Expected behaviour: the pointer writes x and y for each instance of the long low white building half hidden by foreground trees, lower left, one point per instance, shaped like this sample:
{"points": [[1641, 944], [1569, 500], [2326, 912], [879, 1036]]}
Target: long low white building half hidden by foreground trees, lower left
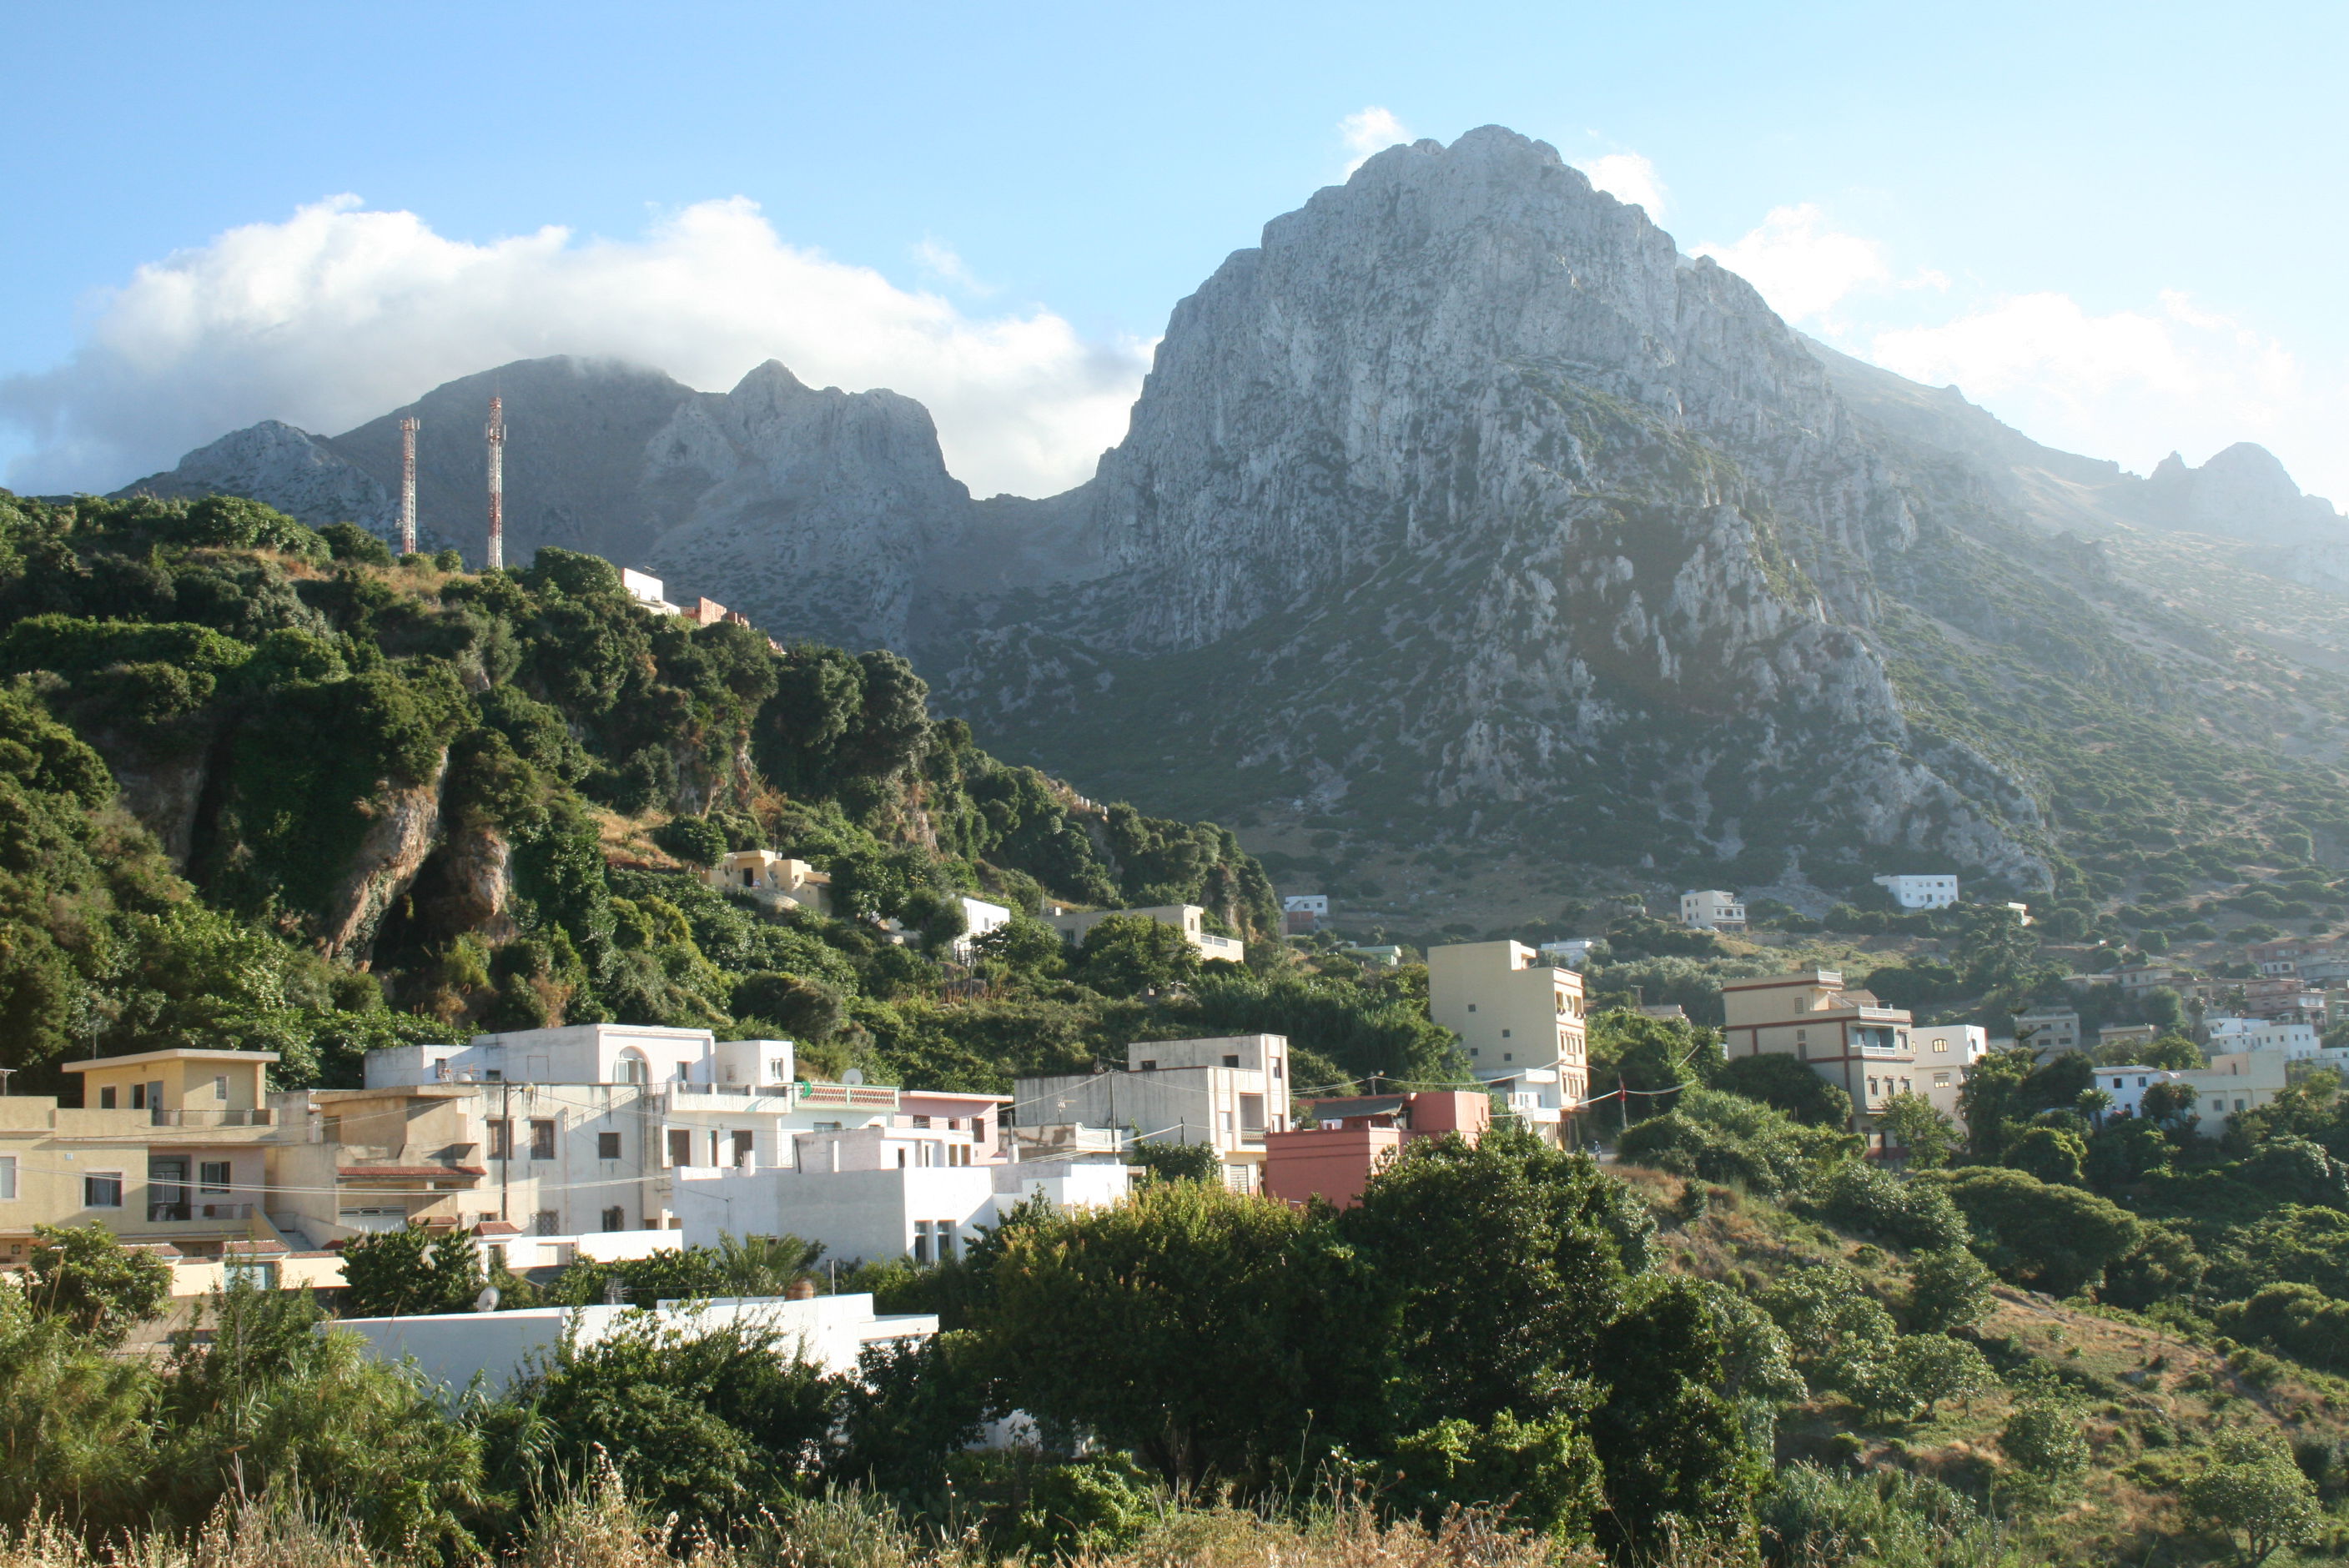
{"points": [[452, 1349]]}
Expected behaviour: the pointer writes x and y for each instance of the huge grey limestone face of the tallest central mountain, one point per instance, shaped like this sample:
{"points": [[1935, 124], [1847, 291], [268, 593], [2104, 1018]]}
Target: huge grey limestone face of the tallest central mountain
{"points": [[1465, 492]]}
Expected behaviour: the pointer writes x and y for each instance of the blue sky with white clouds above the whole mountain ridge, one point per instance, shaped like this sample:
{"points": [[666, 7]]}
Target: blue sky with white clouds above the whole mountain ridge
{"points": [[2118, 227]]}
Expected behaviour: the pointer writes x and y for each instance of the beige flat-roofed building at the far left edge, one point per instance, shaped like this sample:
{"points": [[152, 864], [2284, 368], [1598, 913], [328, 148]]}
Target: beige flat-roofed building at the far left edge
{"points": [[168, 1149]]}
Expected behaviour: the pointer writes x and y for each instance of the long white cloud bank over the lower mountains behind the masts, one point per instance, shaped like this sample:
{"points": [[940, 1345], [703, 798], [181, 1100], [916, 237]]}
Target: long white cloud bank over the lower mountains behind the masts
{"points": [[342, 313]]}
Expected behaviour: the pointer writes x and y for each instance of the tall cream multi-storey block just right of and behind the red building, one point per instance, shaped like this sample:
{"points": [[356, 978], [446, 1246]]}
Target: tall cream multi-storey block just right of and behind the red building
{"points": [[1521, 1022]]}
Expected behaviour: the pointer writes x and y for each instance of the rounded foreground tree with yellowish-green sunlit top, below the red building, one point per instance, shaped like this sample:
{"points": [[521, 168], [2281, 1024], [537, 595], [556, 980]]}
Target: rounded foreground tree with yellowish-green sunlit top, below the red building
{"points": [[1140, 1323]]}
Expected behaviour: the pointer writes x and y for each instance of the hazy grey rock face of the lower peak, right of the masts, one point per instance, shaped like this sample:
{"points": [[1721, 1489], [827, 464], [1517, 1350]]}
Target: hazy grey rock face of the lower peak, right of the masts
{"points": [[809, 511]]}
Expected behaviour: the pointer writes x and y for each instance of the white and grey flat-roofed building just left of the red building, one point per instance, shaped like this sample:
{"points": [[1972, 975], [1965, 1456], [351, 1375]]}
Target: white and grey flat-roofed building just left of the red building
{"points": [[1227, 1093]]}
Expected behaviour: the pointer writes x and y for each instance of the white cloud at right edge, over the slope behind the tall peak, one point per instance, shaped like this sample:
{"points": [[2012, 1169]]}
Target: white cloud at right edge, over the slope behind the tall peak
{"points": [[2132, 384]]}
